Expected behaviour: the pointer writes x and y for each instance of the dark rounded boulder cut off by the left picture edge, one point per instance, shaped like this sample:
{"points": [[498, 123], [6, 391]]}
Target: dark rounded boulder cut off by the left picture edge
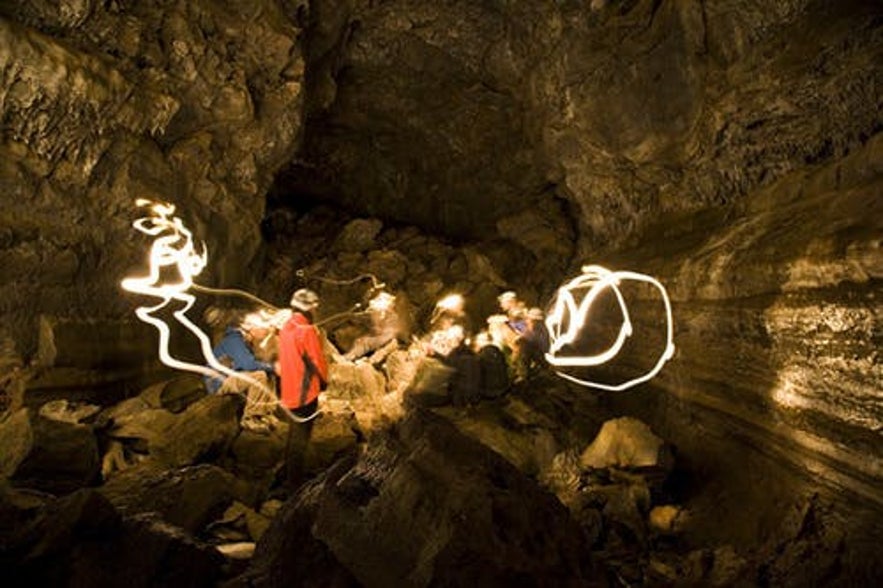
{"points": [[47, 454]]}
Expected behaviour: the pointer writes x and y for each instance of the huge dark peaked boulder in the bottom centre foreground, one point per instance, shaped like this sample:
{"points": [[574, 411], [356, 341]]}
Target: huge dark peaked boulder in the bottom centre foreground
{"points": [[422, 506]]}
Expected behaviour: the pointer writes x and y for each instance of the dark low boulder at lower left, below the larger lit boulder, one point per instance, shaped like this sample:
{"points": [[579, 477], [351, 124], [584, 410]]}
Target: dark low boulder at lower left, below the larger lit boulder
{"points": [[189, 498]]}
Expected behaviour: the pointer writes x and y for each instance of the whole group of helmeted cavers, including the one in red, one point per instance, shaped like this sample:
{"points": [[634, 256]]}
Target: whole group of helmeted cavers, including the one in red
{"points": [[277, 360]]}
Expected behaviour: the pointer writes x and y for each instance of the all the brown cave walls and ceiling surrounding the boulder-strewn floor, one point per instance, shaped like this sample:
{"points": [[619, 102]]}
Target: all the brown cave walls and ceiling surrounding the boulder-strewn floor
{"points": [[729, 149]]}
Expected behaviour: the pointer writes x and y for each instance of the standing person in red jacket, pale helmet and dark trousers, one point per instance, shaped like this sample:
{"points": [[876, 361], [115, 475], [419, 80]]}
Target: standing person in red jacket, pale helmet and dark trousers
{"points": [[303, 373]]}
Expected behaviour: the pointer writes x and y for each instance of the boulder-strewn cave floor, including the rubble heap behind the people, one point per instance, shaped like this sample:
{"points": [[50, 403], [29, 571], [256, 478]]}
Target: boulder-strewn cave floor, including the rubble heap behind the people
{"points": [[544, 486]]}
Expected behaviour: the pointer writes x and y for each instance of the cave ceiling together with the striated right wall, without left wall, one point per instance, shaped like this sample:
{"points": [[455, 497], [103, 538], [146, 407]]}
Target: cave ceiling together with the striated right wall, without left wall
{"points": [[730, 148]]}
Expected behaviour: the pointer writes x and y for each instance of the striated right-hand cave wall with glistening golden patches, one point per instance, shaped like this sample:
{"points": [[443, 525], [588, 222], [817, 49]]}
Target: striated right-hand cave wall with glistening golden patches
{"points": [[778, 315]]}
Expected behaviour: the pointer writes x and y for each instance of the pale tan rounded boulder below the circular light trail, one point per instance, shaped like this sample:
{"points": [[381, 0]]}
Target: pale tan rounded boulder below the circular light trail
{"points": [[623, 442]]}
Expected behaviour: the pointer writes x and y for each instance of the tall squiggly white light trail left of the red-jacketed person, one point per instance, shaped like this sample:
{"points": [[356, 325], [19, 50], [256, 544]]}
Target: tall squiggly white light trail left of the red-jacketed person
{"points": [[173, 249]]}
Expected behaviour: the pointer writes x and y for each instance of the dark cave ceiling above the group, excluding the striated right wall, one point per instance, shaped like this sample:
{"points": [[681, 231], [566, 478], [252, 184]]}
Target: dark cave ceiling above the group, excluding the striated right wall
{"points": [[601, 115]]}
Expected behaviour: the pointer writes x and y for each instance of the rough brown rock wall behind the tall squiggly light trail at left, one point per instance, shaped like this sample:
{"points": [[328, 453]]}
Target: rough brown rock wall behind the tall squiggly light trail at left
{"points": [[193, 103]]}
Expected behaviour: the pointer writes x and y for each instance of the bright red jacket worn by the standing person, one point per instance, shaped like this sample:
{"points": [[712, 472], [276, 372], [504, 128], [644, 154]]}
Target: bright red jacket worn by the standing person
{"points": [[303, 369]]}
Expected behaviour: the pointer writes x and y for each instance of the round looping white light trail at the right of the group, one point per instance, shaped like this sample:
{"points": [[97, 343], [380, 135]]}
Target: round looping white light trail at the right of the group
{"points": [[567, 319]]}
